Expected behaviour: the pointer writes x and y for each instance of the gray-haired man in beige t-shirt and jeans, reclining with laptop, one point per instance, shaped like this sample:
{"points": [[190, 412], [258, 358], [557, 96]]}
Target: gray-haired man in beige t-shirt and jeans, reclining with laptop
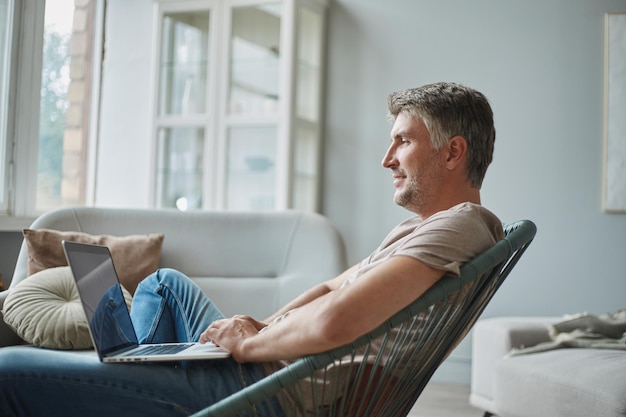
{"points": [[441, 145]]}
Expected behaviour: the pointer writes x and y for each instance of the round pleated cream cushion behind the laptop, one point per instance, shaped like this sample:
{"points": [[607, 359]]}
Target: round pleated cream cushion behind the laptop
{"points": [[45, 310]]}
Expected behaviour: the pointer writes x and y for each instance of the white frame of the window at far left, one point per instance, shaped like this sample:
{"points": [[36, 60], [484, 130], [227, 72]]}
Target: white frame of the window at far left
{"points": [[23, 112]]}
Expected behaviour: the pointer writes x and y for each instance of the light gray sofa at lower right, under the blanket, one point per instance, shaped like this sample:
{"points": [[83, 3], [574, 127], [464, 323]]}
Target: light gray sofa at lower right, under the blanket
{"points": [[551, 382]]}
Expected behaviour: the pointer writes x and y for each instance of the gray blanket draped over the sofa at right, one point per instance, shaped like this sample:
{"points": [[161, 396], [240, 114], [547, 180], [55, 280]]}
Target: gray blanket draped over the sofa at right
{"points": [[584, 330]]}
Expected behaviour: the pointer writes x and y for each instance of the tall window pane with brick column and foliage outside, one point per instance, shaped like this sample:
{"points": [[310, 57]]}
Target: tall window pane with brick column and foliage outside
{"points": [[65, 98]]}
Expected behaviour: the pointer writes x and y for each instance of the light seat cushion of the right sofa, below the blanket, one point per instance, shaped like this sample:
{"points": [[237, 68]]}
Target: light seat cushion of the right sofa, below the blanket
{"points": [[562, 383]]}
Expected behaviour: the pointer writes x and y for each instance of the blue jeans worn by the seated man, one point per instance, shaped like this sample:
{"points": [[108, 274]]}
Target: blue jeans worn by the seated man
{"points": [[167, 307]]}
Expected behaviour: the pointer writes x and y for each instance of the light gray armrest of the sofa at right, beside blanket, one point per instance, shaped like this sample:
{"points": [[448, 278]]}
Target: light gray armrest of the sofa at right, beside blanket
{"points": [[493, 339]]}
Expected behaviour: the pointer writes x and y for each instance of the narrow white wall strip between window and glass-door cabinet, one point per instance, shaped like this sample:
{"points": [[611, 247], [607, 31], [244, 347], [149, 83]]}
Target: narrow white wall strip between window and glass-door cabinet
{"points": [[124, 148]]}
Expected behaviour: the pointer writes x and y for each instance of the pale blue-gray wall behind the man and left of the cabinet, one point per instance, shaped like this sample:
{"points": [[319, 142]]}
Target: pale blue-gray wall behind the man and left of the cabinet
{"points": [[540, 62]]}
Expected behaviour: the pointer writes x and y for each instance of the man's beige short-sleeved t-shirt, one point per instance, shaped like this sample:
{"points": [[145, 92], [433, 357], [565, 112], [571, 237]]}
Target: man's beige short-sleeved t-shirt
{"points": [[444, 241]]}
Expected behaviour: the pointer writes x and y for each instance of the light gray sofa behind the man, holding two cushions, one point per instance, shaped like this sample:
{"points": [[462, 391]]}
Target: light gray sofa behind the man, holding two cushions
{"points": [[249, 263]]}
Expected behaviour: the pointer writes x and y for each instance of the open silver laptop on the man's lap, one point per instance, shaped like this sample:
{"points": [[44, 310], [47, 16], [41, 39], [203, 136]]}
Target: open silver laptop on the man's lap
{"points": [[111, 328]]}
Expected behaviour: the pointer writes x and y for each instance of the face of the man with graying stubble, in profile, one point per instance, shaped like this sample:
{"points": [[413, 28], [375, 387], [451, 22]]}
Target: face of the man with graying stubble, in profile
{"points": [[416, 166]]}
